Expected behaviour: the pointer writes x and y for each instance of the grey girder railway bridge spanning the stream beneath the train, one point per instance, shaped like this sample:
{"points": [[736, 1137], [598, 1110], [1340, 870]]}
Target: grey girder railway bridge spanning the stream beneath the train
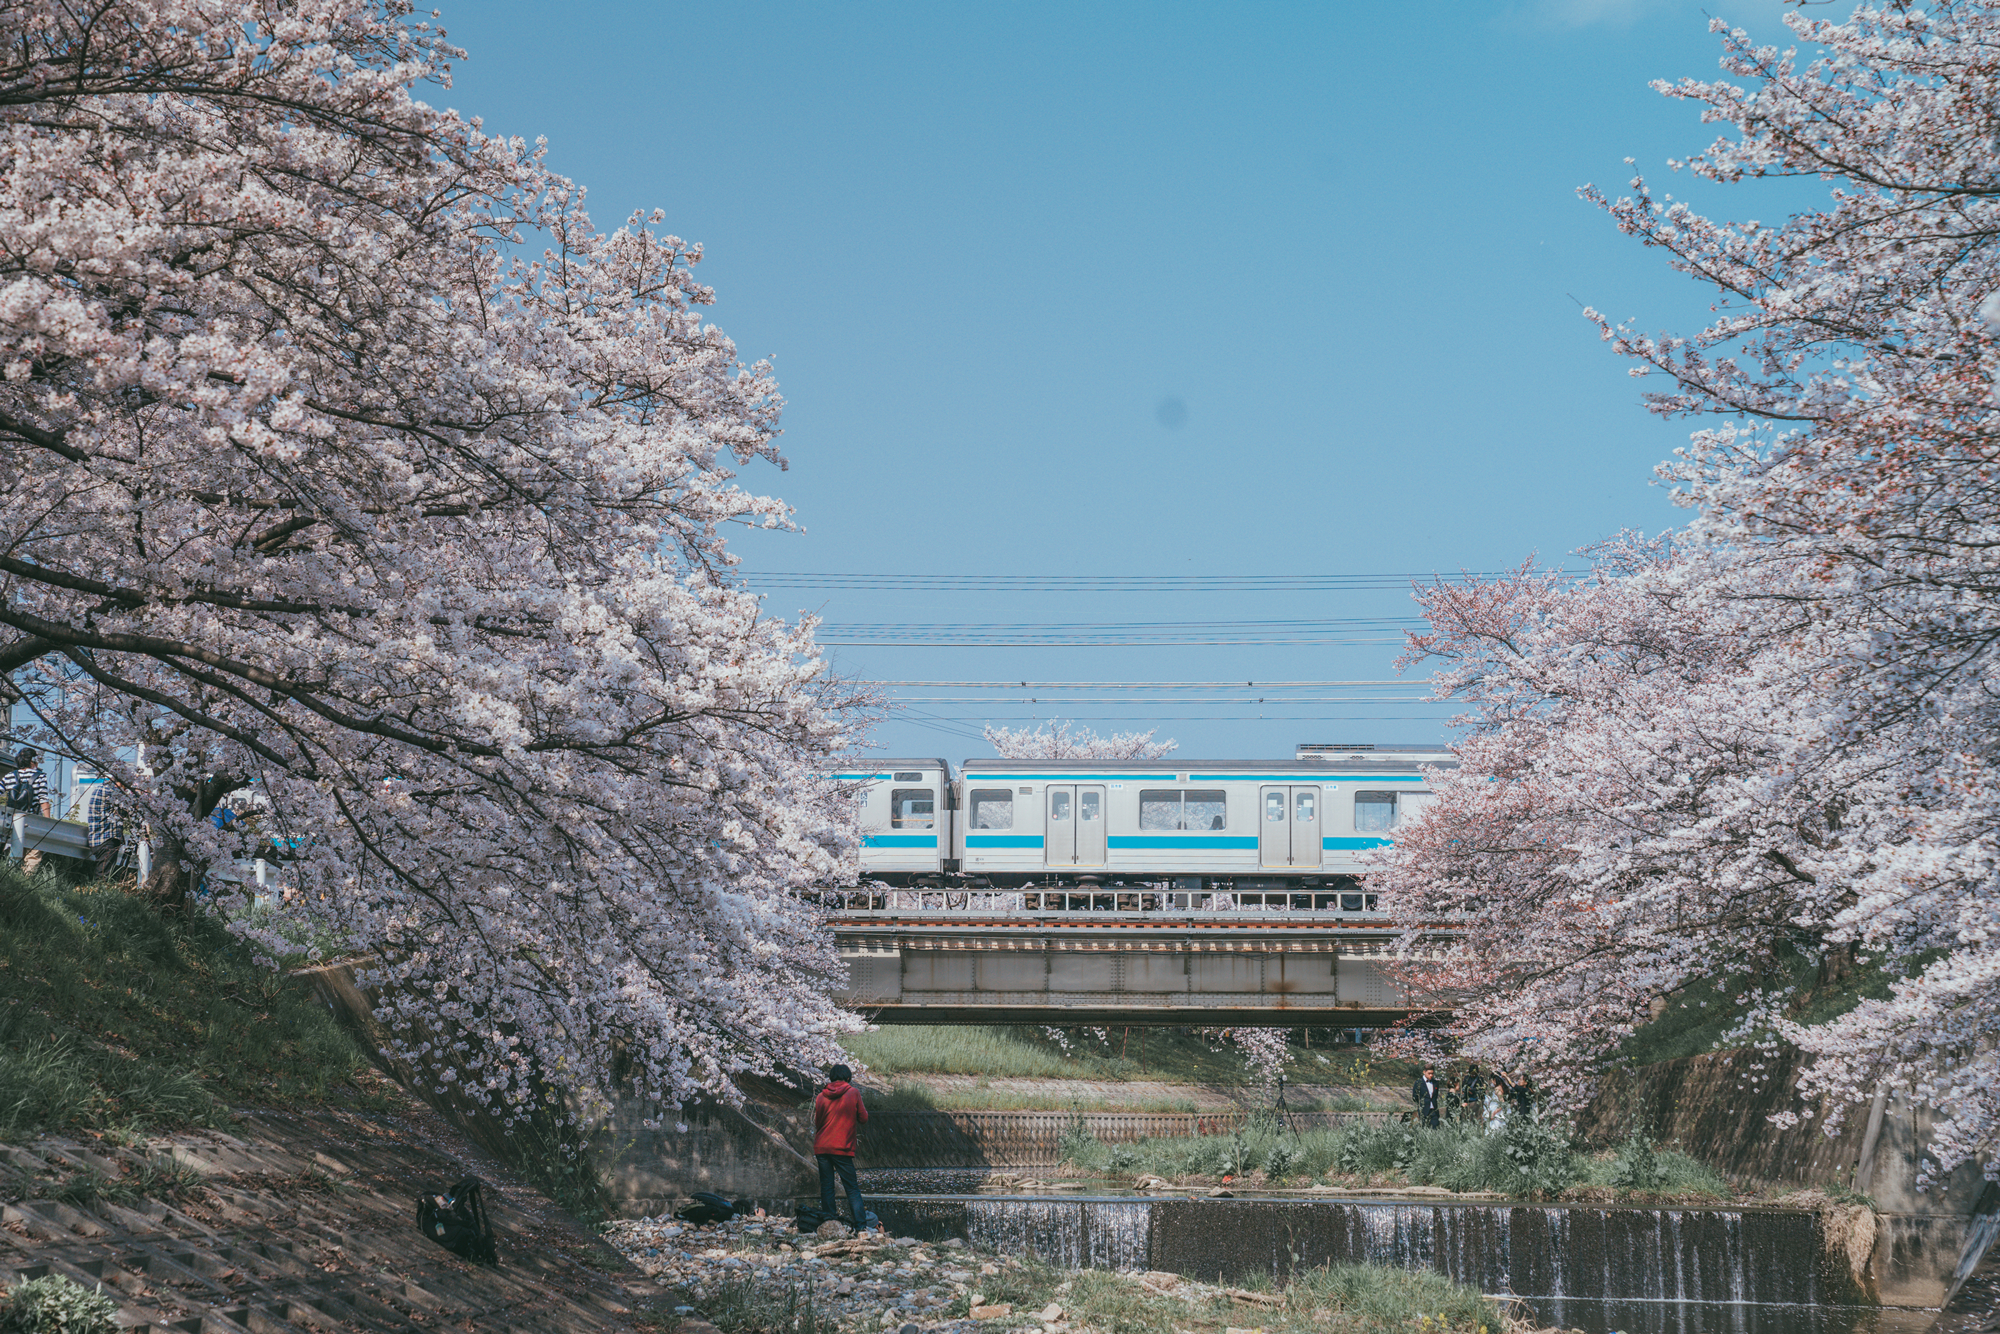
{"points": [[1291, 969]]}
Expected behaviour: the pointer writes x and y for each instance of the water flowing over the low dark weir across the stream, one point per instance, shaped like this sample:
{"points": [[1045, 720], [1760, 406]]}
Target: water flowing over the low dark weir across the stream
{"points": [[1645, 1271]]}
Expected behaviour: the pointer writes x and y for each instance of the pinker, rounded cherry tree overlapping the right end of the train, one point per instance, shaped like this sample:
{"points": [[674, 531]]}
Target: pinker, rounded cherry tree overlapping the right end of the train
{"points": [[1613, 833]]}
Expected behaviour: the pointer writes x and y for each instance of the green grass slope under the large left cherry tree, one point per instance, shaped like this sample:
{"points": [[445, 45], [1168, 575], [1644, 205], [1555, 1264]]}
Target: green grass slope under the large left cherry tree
{"points": [[115, 1017]]}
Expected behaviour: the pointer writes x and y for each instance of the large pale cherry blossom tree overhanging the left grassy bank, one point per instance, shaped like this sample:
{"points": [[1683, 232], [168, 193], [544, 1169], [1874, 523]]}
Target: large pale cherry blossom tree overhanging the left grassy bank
{"points": [[343, 455]]}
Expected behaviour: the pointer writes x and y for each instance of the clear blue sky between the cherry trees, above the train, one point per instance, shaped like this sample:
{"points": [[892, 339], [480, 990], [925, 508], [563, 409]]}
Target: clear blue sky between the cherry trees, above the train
{"points": [[1149, 291]]}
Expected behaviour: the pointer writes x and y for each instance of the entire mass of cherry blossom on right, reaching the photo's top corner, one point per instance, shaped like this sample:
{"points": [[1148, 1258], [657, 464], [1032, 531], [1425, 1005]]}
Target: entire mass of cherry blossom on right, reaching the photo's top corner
{"points": [[1777, 737]]}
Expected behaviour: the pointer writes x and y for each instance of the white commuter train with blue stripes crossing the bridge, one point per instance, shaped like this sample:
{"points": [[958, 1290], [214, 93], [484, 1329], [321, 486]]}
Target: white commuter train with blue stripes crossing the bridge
{"points": [[1121, 835]]}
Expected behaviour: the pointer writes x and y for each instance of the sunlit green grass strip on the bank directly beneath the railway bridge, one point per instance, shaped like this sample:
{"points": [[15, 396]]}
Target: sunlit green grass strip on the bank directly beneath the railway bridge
{"points": [[1137, 1055]]}
